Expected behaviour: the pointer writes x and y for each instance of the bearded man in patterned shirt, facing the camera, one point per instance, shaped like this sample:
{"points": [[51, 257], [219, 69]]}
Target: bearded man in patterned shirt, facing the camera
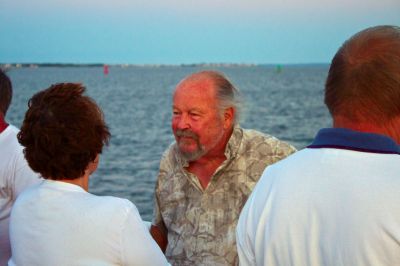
{"points": [[207, 175]]}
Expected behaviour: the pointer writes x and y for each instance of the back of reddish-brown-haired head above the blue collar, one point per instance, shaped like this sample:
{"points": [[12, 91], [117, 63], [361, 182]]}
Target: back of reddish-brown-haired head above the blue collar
{"points": [[363, 85]]}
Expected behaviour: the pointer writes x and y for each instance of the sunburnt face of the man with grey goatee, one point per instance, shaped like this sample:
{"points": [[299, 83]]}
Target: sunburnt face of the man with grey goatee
{"points": [[196, 122]]}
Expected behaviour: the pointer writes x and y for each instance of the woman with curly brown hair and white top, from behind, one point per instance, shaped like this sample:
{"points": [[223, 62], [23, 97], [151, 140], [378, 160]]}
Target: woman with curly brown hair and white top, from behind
{"points": [[58, 222]]}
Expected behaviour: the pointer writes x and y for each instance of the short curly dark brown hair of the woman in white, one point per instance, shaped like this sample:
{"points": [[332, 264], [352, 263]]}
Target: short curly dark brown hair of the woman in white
{"points": [[63, 131]]}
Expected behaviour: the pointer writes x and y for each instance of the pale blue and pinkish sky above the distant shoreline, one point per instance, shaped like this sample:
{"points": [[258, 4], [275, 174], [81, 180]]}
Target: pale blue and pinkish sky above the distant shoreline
{"points": [[184, 31]]}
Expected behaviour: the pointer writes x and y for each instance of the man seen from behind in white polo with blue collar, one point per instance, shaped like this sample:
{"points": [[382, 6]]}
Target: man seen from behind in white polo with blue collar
{"points": [[337, 202]]}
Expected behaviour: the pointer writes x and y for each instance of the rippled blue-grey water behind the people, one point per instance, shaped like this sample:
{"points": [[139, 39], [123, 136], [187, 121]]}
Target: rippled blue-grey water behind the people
{"points": [[137, 105]]}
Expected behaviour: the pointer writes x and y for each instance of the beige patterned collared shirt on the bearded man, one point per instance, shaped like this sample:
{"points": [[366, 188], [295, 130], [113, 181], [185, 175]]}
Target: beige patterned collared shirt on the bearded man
{"points": [[201, 222]]}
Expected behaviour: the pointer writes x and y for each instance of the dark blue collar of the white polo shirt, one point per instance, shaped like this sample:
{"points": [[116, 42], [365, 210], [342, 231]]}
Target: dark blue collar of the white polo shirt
{"points": [[342, 138]]}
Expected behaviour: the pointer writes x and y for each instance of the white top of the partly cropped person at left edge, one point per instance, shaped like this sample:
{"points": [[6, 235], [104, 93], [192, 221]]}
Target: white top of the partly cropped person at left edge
{"points": [[15, 175]]}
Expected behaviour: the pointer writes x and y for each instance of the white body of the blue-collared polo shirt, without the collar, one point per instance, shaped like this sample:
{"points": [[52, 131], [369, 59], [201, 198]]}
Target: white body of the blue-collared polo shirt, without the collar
{"points": [[324, 207]]}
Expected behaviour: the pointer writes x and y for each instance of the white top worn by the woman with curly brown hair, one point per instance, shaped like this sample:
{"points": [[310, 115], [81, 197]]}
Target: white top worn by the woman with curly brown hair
{"points": [[57, 223]]}
